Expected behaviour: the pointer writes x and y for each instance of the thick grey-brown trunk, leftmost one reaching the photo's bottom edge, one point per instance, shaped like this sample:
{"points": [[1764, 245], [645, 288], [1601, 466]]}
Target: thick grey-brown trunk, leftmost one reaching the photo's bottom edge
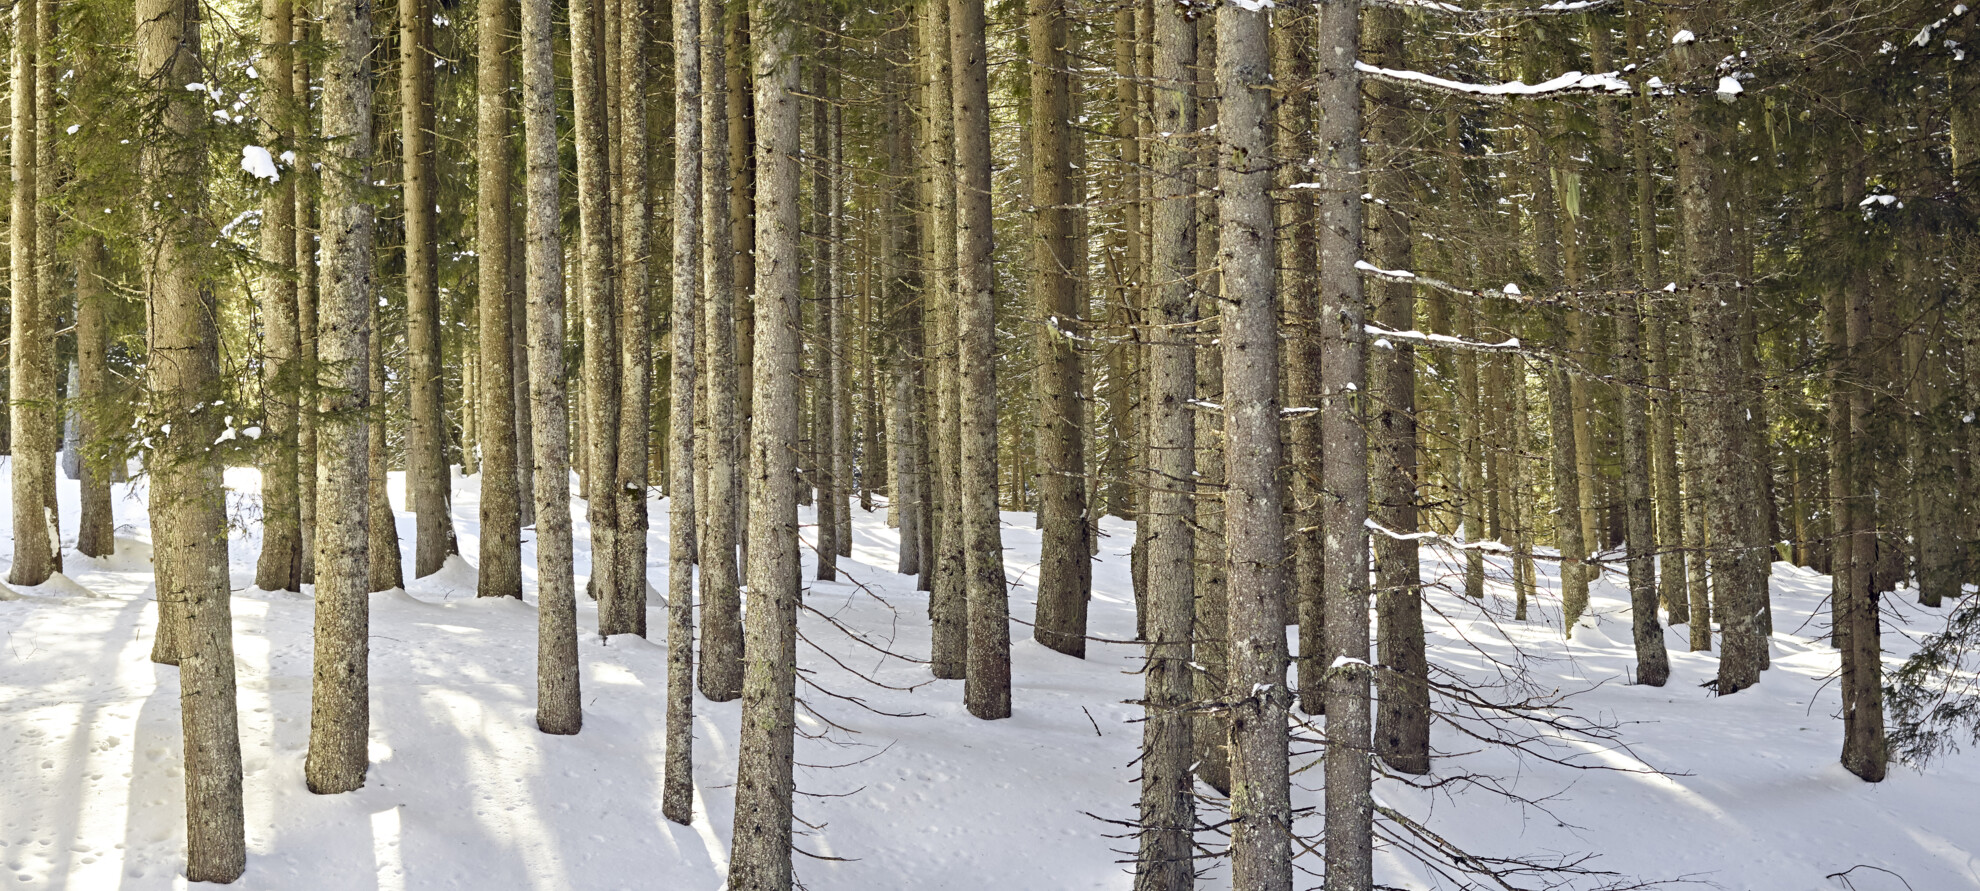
{"points": [[761, 860]]}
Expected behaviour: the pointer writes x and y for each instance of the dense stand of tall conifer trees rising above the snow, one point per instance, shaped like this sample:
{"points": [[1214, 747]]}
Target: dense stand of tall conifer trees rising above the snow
{"points": [[1605, 290]]}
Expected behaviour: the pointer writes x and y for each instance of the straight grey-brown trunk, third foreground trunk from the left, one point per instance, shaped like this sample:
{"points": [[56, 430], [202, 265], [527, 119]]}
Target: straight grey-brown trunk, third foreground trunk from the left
{"points": [[559, 706]]}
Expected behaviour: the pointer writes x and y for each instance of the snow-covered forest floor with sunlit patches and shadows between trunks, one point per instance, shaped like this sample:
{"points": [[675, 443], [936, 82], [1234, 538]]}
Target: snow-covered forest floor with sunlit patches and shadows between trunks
{"points": [[896, 781]]}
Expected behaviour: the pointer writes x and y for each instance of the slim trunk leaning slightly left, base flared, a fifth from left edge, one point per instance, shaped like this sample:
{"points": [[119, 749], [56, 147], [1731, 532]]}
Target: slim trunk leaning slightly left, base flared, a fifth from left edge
{"points": [[429, 478]]}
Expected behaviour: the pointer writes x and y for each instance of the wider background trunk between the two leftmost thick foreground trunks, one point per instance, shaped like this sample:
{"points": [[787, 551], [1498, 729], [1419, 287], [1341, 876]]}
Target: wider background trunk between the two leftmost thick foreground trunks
{"points": [[282, 534]]}
